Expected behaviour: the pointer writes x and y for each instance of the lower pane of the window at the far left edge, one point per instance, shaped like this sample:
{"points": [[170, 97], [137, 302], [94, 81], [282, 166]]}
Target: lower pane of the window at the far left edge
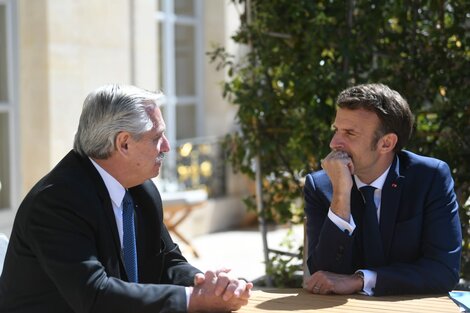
{"points": [[4, 163]]}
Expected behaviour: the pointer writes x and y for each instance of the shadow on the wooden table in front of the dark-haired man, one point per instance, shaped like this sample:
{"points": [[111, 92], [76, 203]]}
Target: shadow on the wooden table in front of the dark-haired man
{"points": [[304, 300]]}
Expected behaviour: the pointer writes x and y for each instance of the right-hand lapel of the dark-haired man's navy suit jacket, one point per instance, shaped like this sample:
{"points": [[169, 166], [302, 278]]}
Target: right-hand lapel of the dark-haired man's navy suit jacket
{"points": [[391, 195]]}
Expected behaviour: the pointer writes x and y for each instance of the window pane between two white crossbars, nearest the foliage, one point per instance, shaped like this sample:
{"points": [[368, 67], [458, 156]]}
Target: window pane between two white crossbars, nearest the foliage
{"points": [[184, 60]]}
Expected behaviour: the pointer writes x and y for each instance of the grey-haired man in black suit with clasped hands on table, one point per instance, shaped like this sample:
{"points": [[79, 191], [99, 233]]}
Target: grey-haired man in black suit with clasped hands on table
{"points": [[89, 236]]}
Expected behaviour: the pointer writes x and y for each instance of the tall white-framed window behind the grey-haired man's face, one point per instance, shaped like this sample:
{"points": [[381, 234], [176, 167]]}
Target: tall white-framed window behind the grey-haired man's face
{"points": [[180, 63]]}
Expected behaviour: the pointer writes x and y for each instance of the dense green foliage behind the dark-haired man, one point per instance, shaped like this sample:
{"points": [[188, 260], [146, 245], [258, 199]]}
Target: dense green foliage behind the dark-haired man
{"points": [[302, 53]]}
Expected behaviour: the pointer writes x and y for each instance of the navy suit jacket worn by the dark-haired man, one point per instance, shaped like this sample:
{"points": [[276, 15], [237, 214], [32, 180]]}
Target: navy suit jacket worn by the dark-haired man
{"points": [[419, 225]]}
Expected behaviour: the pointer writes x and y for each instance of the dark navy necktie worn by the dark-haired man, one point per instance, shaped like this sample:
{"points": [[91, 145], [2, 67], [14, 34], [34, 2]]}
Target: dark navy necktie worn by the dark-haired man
{"points": [[373, 250]]}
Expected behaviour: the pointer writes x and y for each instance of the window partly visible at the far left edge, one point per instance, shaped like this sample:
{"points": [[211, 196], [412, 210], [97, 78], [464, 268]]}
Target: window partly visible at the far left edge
{"points": [[7, 109]]}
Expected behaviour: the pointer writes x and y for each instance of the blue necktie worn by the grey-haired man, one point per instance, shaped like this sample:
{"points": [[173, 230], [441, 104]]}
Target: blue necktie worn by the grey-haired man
{"points": [[130, 251]]}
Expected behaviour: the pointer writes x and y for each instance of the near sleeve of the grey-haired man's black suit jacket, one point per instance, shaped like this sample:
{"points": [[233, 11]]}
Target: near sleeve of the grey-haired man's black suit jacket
{"points": [[62, 234]]}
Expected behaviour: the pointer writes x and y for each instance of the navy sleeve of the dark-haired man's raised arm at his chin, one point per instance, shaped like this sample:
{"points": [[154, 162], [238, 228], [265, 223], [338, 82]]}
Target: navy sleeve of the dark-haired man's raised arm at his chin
{"points": [[329, 248]]}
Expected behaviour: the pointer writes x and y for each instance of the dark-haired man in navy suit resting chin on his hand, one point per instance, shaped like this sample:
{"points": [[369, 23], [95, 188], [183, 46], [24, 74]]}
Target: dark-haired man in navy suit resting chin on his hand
{"points": [[380, 220]]}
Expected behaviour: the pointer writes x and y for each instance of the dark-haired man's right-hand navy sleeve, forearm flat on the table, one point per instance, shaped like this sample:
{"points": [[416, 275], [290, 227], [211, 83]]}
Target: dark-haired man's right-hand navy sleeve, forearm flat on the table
{"points": [[436, 270]]}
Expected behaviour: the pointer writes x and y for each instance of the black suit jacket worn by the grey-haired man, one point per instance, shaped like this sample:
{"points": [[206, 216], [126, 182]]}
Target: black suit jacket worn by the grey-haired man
{"points": [[65, 254]]}
